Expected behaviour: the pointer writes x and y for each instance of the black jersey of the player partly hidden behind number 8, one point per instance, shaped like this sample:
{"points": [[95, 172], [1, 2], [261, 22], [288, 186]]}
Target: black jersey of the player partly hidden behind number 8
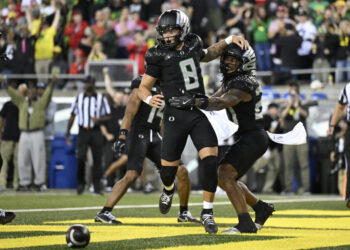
{"points": [[147, 116]]}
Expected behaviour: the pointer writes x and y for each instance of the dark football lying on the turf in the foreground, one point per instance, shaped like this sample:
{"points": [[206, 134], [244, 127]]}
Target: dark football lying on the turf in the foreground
{"points": [[78, 236]]}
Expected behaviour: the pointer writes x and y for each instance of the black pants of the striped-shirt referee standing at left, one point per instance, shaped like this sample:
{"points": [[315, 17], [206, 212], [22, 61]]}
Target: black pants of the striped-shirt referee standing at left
{"points": [[94, 139]]}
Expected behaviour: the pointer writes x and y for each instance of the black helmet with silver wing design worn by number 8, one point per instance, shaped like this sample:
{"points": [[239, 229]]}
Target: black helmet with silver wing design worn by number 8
{"points": [[173, 19]]}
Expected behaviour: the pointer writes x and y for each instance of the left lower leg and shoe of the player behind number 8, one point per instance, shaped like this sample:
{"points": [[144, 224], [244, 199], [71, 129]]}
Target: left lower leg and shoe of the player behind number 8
{"points": [[117, 193]]}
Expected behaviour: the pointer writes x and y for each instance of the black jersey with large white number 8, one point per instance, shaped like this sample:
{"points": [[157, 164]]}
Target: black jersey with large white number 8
{"points": [[177, 70]]}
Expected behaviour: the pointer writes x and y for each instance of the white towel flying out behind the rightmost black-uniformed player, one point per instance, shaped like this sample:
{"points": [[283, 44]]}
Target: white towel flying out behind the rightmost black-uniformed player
{"points": [[296, 136]]}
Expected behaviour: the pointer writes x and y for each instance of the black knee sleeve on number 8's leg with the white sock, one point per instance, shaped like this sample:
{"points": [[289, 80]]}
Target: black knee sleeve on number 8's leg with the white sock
{"points": [[210, 173]]}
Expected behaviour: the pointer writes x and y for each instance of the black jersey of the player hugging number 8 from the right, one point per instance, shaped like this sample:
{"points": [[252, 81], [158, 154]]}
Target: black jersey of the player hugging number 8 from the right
{"points": [[248, 115]]}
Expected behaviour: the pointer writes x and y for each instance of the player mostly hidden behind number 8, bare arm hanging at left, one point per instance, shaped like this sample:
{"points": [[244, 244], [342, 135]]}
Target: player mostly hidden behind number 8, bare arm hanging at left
{"points": [[143, 141]]}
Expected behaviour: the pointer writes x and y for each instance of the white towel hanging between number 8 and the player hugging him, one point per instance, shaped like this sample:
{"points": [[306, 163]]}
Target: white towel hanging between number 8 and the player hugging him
{"points": [[222, 126]]}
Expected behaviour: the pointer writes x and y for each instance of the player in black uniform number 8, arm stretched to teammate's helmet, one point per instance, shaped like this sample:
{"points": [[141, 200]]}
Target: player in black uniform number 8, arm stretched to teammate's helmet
{"points": [[175, 62]]}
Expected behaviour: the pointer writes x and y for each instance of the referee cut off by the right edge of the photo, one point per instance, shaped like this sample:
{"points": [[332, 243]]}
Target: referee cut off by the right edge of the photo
{"points": [[340, 107]]}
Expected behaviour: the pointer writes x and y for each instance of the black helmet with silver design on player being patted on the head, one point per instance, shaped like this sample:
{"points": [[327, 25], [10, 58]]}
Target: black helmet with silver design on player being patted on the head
{"points": [[246, 58]]}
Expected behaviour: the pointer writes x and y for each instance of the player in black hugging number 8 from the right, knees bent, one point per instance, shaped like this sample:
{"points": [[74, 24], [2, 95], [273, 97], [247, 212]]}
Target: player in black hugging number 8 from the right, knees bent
{"points": [[241, 94]]}
